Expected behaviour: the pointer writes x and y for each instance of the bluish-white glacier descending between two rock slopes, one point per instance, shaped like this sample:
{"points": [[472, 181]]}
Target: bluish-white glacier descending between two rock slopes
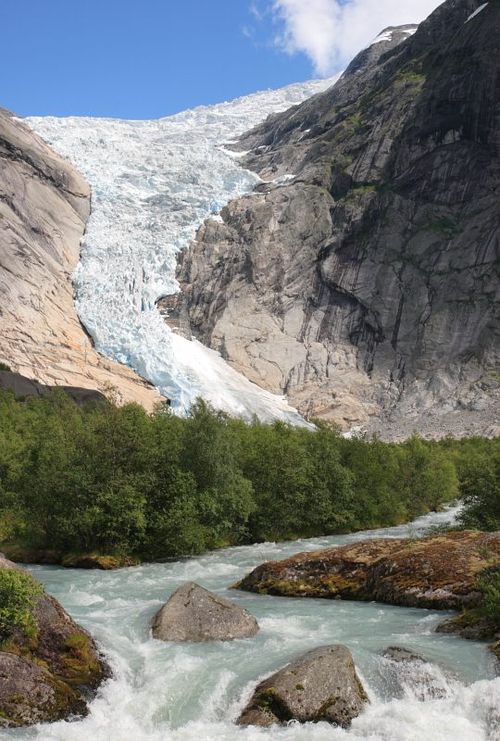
{"points": [[153, 184]]}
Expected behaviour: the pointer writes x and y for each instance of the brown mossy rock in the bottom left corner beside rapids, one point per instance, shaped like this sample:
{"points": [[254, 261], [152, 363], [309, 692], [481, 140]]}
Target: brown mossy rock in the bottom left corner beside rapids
{"points": [[49, 671]]}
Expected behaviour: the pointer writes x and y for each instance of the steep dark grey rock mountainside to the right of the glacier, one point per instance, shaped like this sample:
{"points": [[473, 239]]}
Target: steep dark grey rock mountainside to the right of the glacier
{"points": [[361, 277]]}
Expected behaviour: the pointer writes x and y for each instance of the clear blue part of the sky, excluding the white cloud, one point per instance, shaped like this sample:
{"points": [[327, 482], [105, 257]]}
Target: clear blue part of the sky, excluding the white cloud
{"points": [[135, 59]]}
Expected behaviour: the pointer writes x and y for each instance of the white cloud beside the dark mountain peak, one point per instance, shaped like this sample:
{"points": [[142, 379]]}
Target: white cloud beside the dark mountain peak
{"points": [[331, 32]]}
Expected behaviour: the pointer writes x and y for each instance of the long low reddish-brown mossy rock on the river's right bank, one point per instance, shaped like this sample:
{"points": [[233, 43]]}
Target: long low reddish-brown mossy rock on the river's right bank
{"points": [[439, 572]]}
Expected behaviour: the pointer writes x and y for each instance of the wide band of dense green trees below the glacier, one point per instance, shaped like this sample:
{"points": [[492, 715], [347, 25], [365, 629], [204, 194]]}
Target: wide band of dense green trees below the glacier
{"points": [[117, 480]]}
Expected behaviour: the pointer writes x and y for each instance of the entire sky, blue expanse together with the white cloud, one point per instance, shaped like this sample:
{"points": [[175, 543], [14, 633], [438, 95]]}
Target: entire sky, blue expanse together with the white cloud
{"points": [[151, 58]]}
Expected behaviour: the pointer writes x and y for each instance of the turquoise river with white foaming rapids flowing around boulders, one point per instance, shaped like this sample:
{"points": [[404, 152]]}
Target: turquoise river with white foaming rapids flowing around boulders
{"points": [[192, 692]]}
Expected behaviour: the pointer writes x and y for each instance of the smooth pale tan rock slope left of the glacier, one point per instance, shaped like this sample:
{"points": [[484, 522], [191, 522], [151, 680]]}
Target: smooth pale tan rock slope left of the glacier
{"points": [[44, 205]]}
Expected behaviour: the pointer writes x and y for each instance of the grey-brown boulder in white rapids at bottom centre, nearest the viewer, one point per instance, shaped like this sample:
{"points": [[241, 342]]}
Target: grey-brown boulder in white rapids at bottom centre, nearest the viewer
{"points": [[321, 685]]}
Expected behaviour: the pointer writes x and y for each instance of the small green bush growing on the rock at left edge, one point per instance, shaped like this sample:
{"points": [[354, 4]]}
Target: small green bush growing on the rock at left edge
{"points": [[18, 594]]}
